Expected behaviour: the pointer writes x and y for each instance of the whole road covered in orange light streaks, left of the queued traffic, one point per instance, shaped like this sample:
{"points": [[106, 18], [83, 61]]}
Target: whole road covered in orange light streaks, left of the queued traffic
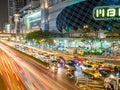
{"points": [[30, 75]]}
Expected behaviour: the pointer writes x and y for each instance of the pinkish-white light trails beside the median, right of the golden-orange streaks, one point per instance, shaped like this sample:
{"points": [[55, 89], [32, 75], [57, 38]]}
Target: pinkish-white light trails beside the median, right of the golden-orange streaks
{"points": [[31, 74]]}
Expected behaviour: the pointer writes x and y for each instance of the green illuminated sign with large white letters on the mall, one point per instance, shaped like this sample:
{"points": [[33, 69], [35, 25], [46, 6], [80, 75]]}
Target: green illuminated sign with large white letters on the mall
{"points": [[106, 12]]}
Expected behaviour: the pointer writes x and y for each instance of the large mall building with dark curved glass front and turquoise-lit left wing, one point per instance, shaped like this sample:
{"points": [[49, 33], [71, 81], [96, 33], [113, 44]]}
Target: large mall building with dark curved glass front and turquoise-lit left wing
{"points": [[66, 15]]}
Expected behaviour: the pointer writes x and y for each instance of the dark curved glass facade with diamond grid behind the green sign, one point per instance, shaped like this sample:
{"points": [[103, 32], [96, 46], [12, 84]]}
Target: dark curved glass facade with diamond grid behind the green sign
{"points": [[77, 15]]}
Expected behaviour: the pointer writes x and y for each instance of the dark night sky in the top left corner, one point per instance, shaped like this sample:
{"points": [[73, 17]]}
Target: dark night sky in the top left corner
{"points": [[3, 12]]}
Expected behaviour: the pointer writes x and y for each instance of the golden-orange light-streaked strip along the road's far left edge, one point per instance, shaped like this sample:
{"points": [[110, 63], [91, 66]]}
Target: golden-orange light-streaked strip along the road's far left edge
{"points": [[9, 72]]}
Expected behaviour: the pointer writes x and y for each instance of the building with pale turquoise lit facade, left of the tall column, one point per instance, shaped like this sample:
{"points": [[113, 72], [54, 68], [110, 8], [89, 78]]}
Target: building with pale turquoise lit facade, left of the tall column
{"points": [[30, 16]]}
